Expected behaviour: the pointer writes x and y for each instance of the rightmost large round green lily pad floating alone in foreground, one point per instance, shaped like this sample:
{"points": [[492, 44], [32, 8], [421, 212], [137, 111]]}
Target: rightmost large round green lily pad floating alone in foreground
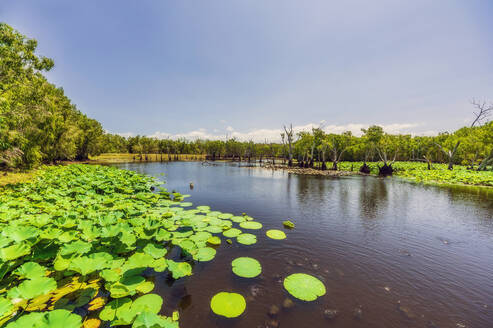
{"points": [[304, 287]]}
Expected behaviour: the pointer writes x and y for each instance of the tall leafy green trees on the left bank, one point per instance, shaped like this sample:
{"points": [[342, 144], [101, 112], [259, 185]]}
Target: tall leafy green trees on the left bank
{"points": [[38, 123]]}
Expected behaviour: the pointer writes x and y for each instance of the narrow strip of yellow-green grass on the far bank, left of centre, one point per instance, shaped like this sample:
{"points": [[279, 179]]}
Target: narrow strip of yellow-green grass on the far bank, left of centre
{"points": [[110, 158]]}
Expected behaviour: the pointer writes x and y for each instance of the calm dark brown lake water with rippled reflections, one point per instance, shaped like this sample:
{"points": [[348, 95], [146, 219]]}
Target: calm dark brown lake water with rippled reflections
{"points": [[390, 253]]}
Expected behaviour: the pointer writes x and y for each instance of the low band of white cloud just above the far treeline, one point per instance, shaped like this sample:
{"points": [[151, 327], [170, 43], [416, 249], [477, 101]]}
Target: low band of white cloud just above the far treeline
{"points": [[274, 135]]}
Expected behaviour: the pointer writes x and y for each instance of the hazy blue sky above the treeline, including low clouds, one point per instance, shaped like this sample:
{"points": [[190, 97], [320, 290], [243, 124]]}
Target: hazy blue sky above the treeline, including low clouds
{"points": [[245, 68]]}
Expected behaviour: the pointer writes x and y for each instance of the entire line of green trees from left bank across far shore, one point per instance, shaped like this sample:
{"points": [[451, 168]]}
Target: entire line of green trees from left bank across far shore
{"points": [[40, 124]]}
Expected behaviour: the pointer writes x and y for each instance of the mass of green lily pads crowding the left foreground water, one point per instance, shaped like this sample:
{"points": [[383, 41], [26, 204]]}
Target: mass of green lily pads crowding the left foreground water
{"points": [[82, 244]]}
